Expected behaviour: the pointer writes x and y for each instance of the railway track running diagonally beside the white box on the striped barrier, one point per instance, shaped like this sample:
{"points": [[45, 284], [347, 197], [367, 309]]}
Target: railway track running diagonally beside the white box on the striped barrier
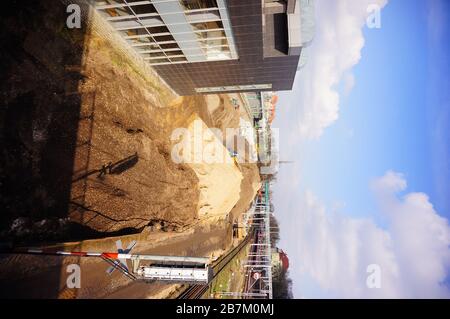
{"points": [[198, 291]]}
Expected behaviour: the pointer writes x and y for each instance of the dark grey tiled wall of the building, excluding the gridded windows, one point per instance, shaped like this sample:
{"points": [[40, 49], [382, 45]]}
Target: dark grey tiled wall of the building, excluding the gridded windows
{"points": [[254, 66]]}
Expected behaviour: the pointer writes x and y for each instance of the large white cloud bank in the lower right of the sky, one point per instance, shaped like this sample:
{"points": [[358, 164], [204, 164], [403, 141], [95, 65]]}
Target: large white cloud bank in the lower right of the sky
{"points": [[333, 250]]}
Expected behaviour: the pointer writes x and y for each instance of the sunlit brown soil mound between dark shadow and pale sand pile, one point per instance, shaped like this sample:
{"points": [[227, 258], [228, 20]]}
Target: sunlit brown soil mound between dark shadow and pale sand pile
{"points": [[144, 184]]}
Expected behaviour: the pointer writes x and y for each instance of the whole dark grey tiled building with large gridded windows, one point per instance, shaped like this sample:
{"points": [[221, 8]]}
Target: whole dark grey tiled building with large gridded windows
{"points": [[212, 46]]}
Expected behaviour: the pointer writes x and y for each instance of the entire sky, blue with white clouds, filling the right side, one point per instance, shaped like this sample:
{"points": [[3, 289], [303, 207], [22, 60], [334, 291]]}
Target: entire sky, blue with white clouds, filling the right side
{"points": [[367, 125]]}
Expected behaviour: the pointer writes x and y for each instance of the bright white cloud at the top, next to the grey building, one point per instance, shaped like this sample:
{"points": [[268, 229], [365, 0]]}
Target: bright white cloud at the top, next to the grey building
{"points": [[335, 50]]}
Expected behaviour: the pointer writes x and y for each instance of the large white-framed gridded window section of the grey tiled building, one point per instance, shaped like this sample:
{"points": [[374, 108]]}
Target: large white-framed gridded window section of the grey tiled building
{"points": [[173, 31]]}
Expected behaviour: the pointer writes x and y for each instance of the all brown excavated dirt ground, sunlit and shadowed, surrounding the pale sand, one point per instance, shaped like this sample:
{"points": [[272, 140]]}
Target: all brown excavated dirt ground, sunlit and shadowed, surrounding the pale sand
{"points": [[84, 139]]}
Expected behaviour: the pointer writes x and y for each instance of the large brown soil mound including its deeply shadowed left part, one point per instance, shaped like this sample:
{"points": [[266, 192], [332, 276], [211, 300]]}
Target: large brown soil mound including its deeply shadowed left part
{"points": [[72, 105]]}
